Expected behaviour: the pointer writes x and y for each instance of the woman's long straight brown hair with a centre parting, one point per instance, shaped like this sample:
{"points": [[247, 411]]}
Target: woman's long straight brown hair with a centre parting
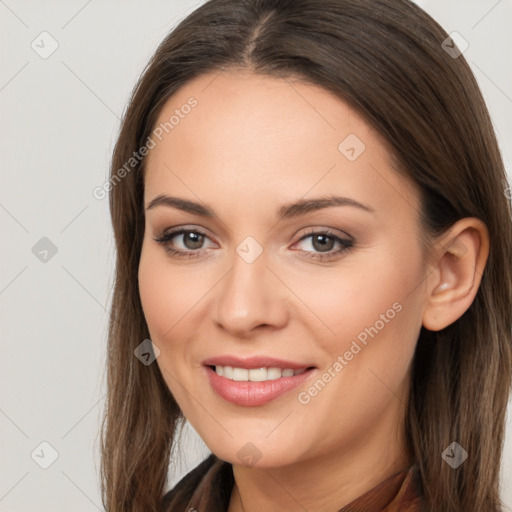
{"points": [[386, 58]]}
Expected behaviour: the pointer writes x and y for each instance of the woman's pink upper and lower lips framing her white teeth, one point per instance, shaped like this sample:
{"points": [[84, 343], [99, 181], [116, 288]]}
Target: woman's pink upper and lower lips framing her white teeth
{"points": [[251, 394]]}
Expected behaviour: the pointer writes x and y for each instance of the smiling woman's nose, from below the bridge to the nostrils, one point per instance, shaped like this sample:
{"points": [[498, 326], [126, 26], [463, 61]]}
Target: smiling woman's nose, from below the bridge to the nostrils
{"points": [[250, 296]]}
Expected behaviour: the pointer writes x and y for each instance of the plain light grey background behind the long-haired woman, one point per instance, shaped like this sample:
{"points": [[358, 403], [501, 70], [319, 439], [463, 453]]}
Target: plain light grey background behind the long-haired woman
{"points": [[59, 120]]}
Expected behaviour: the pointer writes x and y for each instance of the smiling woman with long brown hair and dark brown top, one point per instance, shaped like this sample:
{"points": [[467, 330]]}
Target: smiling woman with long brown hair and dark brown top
{"points": [[311, 228]]}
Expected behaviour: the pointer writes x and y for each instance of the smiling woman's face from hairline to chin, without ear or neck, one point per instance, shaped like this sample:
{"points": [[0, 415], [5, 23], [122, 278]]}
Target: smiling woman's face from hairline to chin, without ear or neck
{"points": [[334, 285]]}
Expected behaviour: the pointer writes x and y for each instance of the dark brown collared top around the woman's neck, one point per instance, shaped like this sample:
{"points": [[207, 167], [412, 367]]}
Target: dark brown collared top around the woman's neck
{"points": [[207, 488]]}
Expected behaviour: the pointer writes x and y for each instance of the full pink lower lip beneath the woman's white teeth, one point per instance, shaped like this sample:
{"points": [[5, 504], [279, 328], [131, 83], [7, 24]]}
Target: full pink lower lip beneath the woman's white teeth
{"points": [[251, 394]]}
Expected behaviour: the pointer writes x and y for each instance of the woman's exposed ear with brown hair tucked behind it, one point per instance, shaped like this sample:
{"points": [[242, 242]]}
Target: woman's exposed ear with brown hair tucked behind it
{"points": [[460, 255]]}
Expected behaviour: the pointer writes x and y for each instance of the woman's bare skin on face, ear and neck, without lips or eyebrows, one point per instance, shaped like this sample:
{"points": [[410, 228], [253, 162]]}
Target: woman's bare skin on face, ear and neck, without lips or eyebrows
{"points": [[250, 145]]}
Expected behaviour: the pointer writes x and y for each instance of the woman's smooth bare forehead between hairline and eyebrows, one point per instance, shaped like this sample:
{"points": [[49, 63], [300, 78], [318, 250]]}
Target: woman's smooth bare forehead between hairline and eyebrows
{"points": [[278, 138]]}
